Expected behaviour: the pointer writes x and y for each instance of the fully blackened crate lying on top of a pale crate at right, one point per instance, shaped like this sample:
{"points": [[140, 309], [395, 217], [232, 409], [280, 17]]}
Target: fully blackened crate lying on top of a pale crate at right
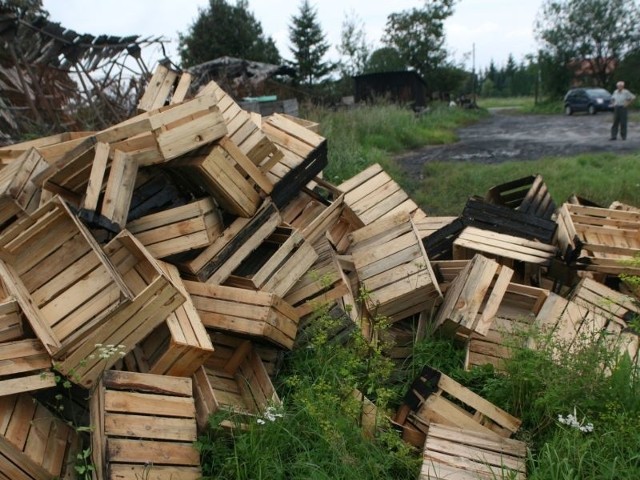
{"points": [[501, 219]]}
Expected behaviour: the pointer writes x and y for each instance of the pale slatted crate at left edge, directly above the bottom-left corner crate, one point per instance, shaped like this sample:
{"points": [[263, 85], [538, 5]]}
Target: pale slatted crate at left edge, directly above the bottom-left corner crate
{"points": [[25, 366]]}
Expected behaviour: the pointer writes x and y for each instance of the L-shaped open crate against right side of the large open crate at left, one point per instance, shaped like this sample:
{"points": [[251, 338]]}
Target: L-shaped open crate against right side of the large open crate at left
{"points": [[151, 296]]}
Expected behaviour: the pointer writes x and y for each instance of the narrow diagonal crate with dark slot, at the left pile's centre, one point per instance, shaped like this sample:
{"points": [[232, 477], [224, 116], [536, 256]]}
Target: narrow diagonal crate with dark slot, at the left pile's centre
{"points": [[215, 263]]}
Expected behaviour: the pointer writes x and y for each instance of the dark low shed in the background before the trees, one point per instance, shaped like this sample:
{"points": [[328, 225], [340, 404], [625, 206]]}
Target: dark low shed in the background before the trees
{"points": [[406, 87]]}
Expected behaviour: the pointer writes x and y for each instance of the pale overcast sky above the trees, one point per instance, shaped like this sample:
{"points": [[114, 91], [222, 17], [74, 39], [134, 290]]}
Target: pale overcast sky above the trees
{"points": [[495, 27]]}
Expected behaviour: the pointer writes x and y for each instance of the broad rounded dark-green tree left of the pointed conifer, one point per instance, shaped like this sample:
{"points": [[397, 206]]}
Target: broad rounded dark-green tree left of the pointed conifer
{"points": [[223, 29]]}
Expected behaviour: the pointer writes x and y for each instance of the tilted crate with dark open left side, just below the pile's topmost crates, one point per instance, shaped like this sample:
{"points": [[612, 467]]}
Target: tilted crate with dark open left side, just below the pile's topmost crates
{"points": [[228, 175]]}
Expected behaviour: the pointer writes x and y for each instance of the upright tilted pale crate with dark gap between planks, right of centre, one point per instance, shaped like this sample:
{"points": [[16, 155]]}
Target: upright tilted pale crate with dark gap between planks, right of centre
{"points": [[473, 298]]}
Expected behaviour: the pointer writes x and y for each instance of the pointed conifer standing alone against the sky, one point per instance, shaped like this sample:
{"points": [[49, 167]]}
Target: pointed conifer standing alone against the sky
{"points": [[308, 45]]}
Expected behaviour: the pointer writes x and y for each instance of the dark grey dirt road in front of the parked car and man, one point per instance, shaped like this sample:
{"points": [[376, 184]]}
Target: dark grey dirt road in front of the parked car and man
{"points": [[507, 135]]}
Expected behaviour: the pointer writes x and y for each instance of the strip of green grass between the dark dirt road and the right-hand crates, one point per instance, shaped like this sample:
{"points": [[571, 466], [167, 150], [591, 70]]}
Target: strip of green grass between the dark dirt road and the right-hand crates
{"points": [[602, 178]]}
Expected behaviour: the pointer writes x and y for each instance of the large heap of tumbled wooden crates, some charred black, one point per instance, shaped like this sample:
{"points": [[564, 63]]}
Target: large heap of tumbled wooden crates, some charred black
{"points": [[165, 264]]}
